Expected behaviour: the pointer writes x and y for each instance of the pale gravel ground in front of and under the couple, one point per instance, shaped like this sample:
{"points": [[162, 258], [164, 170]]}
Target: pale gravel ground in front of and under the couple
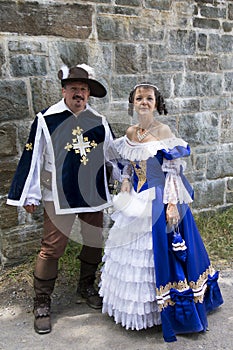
{"points": [[78, 327]]}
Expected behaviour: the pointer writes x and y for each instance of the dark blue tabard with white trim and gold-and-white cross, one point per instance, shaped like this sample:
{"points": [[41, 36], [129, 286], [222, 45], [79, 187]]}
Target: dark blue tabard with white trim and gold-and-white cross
{"points": [[75, 149]]}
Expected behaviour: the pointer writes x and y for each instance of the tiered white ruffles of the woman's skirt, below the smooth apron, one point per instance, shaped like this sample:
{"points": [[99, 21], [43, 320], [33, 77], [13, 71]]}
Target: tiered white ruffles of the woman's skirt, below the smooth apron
{"points": [[128, 284]]}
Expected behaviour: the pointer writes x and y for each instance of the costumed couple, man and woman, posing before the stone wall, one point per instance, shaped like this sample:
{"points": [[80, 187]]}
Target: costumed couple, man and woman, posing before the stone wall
{"points": [[156, 269]]}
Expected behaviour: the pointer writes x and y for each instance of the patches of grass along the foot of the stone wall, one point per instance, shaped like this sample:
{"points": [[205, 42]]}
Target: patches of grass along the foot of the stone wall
{"points": [[216, 230]]}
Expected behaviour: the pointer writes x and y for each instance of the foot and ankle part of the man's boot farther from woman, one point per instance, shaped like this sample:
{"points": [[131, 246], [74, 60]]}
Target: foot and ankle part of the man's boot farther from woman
{"points": [[42, 323]]}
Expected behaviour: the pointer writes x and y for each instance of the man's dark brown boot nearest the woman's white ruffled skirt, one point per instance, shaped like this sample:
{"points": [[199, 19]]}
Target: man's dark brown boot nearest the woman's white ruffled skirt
{"points": [[86, 290]]}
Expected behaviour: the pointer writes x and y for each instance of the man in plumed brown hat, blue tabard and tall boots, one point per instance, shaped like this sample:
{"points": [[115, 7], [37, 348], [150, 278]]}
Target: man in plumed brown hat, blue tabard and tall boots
{"points": [[66, 153]]}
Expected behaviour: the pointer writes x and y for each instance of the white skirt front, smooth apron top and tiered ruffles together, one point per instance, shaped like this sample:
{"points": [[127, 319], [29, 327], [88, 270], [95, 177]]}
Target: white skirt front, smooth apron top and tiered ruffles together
{"points": [[128, 277]]}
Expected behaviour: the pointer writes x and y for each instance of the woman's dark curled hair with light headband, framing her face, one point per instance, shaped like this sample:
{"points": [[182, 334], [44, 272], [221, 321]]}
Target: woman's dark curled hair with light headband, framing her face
{"points": [[160, 104]]}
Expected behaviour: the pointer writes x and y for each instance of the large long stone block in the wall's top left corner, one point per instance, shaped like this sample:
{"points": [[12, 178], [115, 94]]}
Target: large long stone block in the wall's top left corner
{"points": [[36, 18]]}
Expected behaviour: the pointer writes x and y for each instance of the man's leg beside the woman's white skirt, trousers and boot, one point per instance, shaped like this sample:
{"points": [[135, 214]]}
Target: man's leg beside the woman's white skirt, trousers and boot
{"points": [[90, 257]]}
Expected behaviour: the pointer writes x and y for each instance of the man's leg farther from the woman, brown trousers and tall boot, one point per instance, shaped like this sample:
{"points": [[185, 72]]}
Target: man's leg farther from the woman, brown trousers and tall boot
{"points": [[54, 241]]}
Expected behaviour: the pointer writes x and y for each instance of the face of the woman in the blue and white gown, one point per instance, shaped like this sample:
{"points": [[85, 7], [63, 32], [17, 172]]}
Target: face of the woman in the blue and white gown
{"points": [[144, 101]]}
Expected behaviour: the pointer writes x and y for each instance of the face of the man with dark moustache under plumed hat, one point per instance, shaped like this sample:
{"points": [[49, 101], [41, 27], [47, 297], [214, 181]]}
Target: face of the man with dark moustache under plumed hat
{"points": [[76, 95]]}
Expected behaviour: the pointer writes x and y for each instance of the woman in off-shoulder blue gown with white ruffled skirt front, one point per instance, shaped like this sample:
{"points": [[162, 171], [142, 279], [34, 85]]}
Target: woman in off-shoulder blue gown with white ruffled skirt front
{"points": [[156, 268]]}
